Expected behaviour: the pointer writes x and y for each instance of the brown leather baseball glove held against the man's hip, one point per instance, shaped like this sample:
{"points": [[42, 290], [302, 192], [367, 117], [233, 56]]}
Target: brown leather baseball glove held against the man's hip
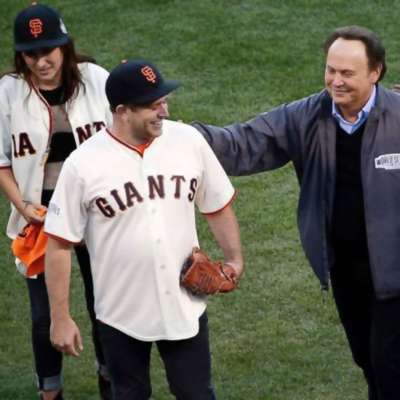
{"points": [[202, 276]]}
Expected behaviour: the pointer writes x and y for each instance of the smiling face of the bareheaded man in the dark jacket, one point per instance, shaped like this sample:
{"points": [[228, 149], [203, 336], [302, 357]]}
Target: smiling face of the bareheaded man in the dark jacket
{"points": [[348, 76]]}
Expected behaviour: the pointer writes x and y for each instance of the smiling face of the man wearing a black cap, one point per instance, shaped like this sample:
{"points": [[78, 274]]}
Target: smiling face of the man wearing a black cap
{"points": [[145, 122]]}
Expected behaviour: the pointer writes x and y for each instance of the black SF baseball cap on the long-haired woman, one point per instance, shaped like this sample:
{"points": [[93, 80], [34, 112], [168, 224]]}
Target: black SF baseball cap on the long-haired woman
{"points": [[39, 26]]}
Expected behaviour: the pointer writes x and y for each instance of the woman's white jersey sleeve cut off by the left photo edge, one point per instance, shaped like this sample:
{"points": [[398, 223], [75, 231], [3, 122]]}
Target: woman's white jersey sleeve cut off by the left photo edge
{"points": [[5, 128]]}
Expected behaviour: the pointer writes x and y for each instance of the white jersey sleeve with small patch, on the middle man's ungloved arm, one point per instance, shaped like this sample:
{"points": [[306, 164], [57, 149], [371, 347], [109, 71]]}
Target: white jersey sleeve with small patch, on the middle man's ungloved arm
{"points": [[67, 213]]}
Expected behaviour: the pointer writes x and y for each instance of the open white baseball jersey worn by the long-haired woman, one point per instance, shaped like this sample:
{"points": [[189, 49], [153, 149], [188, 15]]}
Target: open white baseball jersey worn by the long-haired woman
{"points": [[25, 126]]}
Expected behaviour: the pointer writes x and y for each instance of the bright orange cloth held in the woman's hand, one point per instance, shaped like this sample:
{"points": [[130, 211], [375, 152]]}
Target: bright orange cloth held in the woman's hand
{"points": [[30, 247]]}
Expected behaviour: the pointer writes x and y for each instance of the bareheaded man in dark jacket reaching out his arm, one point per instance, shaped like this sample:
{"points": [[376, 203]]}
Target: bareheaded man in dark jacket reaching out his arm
{"points": [[344, 143]]}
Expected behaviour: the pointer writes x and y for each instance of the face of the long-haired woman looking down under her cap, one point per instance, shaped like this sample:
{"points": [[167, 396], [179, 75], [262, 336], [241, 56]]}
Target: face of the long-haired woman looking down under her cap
{"points": [[45, 66]]}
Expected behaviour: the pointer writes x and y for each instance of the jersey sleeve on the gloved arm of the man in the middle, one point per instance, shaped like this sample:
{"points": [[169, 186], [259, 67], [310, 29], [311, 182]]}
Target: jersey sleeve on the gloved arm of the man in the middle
{"points": [[215, 190]]}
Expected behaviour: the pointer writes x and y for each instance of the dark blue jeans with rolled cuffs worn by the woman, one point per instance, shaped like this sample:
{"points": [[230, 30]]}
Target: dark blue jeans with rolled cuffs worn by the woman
{"points": [[48, 361]]}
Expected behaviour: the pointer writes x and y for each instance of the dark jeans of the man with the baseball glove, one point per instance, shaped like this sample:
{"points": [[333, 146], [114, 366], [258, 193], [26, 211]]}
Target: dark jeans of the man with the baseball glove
{"points": [[187, 363]]}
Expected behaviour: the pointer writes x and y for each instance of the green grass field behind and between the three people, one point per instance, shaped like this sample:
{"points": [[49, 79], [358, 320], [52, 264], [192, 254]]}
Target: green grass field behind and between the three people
{"points": [[276, 338]]}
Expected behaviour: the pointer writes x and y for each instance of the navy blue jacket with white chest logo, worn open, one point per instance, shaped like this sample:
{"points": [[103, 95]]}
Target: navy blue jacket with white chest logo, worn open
{"points": [[304, 132]]}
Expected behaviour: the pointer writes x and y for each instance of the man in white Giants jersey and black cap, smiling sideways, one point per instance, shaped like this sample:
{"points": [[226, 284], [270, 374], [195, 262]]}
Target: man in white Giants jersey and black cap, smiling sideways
{"points": [[129, 192]]}
